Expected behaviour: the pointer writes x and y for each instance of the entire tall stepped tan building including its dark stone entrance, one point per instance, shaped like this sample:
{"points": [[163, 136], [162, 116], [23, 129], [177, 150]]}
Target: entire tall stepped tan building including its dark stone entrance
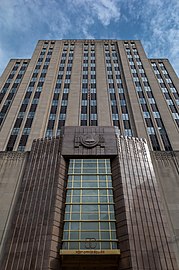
{"points": [[89, 142]]}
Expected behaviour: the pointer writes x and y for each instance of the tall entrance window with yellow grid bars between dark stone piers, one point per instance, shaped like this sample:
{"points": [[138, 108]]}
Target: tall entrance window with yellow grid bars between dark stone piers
{"points": [[89, 211]]}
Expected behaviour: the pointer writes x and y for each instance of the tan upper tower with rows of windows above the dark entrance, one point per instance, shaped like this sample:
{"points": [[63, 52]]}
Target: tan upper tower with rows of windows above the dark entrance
{"points": [[89, 83]]}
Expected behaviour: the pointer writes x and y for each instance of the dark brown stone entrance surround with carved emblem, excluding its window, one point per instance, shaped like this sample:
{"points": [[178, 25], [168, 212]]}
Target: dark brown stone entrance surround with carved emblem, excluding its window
{"points": [[36, 227]]}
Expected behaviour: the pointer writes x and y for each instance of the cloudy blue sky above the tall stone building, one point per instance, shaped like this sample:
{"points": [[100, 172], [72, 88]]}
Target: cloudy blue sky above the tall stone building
{"points": [[154, 22]]}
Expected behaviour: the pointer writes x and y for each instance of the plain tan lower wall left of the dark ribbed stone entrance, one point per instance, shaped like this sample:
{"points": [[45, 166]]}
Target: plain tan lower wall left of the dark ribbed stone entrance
{"points": [[11, 171]]}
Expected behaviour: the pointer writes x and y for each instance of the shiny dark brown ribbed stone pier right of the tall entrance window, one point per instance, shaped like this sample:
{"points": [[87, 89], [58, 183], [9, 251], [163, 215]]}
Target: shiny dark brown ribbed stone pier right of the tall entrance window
{"points": [[143, 225]]}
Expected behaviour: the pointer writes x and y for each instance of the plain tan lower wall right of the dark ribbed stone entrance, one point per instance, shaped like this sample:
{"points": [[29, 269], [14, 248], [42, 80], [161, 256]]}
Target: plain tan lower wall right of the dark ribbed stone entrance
{"points": [[166, 166]]}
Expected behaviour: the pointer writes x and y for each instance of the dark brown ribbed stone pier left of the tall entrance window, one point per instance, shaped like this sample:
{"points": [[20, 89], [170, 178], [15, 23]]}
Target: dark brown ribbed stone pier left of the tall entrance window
{"points": [[35, 233]]}
